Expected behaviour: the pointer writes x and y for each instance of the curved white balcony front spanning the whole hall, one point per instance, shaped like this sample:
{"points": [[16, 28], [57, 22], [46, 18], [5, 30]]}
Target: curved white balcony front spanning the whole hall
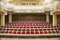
{"points": [[28, 8]]}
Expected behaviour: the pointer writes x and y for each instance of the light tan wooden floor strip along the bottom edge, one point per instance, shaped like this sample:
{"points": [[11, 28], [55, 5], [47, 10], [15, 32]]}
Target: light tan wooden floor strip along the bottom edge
{"points": [[29, 38]]}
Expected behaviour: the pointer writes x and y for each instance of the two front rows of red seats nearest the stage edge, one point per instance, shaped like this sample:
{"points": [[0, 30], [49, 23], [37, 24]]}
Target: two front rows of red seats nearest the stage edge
{"points": [[29, 30]]}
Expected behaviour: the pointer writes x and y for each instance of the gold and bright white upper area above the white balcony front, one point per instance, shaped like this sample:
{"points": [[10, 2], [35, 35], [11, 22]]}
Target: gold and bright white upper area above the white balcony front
{"points": [[37, 2]]}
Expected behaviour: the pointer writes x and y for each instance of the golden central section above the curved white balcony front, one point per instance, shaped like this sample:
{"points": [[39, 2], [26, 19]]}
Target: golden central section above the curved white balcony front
{"points": [[29, 2]]}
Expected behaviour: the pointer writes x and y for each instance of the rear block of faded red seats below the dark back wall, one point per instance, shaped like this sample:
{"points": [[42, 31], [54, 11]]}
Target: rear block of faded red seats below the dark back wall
{"points": [[28, 24]]}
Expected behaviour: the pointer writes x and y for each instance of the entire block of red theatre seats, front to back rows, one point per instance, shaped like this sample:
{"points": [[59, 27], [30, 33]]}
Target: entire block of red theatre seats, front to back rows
{"points": [[29, 27]]}
